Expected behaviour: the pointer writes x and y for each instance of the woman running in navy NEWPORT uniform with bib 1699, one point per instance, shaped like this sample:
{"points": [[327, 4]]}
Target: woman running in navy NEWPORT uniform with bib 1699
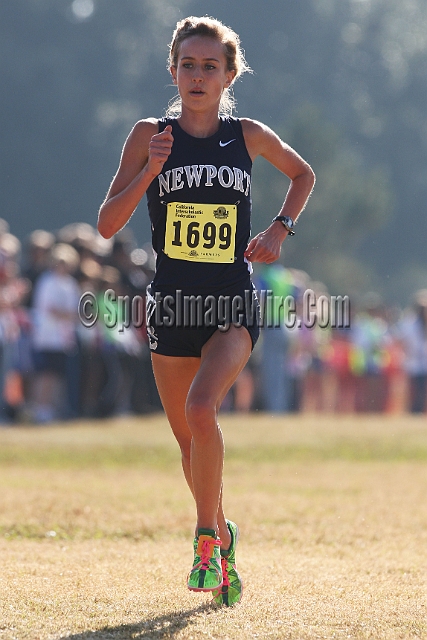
{"points": [[196, 171]]}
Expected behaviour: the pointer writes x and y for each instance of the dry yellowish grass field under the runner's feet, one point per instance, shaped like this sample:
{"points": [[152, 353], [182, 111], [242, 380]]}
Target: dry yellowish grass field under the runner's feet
{"points": [[96, 526]]}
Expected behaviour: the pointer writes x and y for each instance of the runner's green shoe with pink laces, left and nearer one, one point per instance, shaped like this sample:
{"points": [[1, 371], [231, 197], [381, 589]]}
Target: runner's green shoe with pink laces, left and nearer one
{"points": [[206, 574]]}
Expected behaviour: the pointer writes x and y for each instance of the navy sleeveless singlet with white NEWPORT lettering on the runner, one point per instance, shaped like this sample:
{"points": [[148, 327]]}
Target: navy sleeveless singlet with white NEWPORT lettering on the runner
{"points": [[214, 170]]}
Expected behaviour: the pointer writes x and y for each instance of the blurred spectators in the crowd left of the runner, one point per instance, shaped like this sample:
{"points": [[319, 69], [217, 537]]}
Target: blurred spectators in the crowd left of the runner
{"points": [[52, 366]]}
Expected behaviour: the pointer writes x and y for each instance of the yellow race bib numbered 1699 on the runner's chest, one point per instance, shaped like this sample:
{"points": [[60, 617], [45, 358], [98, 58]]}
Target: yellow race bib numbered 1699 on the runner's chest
{"points": [[201, 232]]}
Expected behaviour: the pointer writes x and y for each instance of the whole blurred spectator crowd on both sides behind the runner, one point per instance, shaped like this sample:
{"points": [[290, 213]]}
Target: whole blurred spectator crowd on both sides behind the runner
{"points": [[53, 367]]}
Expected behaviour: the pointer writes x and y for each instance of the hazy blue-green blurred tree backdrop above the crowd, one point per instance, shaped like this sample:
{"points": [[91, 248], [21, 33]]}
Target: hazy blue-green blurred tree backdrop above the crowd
{"points": [[344, 81]]}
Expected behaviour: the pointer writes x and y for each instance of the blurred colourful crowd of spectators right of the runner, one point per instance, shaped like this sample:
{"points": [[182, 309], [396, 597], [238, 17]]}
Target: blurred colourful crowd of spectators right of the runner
{"points": [[375, 362]]}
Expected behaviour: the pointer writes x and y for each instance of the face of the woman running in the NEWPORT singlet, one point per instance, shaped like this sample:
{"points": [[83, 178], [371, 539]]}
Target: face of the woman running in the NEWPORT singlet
{"points": [[201, 72]]}
